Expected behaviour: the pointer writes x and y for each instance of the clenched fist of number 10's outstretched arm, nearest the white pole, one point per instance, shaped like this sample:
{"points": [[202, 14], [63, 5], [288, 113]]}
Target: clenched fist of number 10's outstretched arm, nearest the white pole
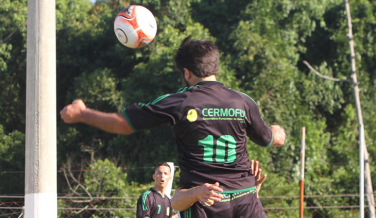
{"points": [[72, 112]]}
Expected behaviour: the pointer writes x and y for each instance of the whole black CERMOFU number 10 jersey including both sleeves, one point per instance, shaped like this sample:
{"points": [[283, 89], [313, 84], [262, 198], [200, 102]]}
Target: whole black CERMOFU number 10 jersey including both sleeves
{"points": [[211, 124]]}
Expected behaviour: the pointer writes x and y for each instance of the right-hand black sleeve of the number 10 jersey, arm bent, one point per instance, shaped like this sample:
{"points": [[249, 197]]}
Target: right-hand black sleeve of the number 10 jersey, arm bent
{"points": [[258, 131]]}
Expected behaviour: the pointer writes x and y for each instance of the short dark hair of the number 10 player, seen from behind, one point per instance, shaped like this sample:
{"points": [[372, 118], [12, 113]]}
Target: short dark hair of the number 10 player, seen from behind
{"points": [[199, 56]]}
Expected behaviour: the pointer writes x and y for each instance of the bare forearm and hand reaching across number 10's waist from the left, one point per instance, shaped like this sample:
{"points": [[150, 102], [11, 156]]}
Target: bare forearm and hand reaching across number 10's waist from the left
{"points": [[206, 194]]}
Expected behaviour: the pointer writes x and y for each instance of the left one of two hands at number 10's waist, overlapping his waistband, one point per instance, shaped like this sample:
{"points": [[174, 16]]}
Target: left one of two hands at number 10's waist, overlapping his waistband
{"points": [[207, 194]]}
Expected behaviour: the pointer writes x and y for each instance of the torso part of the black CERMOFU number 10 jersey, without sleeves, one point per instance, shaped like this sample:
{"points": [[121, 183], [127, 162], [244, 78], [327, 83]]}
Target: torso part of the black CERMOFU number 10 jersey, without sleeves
{"points": [[212, 137]]}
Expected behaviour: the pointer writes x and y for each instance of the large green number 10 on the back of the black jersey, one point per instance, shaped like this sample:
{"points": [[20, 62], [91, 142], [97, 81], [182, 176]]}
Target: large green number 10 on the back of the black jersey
{"points": [[222, 155]]}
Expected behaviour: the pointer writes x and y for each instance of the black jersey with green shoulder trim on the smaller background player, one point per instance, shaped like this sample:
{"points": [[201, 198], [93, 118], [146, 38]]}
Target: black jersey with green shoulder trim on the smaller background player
{"points": [[152, 204]]}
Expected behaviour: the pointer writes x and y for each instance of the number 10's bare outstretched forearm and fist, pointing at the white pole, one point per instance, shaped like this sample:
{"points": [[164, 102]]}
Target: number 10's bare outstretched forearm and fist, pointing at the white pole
{"points": [[109, 122]]}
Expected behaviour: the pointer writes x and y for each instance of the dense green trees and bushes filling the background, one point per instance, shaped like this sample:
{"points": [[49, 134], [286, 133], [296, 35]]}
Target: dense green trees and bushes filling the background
{"points": [[262, 43]]}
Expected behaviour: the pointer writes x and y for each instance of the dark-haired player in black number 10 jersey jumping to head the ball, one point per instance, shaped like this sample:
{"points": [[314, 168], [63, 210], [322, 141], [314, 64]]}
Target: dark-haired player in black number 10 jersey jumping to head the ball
{"points": [[211, 124]]}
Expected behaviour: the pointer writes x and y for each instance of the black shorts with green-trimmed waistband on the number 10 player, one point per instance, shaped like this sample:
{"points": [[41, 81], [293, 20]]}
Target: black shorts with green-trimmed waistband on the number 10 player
{"points": [[237, 205]]}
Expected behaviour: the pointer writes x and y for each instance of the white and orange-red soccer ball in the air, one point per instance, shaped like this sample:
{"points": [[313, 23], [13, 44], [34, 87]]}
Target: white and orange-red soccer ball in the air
{"points": [[135, 26]]}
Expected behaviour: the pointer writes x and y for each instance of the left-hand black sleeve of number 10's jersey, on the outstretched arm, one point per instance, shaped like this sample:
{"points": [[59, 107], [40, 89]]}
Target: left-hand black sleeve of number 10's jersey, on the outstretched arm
{"points": [[162, 110]]}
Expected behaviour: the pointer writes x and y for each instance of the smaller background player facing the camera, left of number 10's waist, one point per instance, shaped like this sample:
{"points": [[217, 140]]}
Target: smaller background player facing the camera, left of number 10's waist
{"points": [[154, 203]]}
